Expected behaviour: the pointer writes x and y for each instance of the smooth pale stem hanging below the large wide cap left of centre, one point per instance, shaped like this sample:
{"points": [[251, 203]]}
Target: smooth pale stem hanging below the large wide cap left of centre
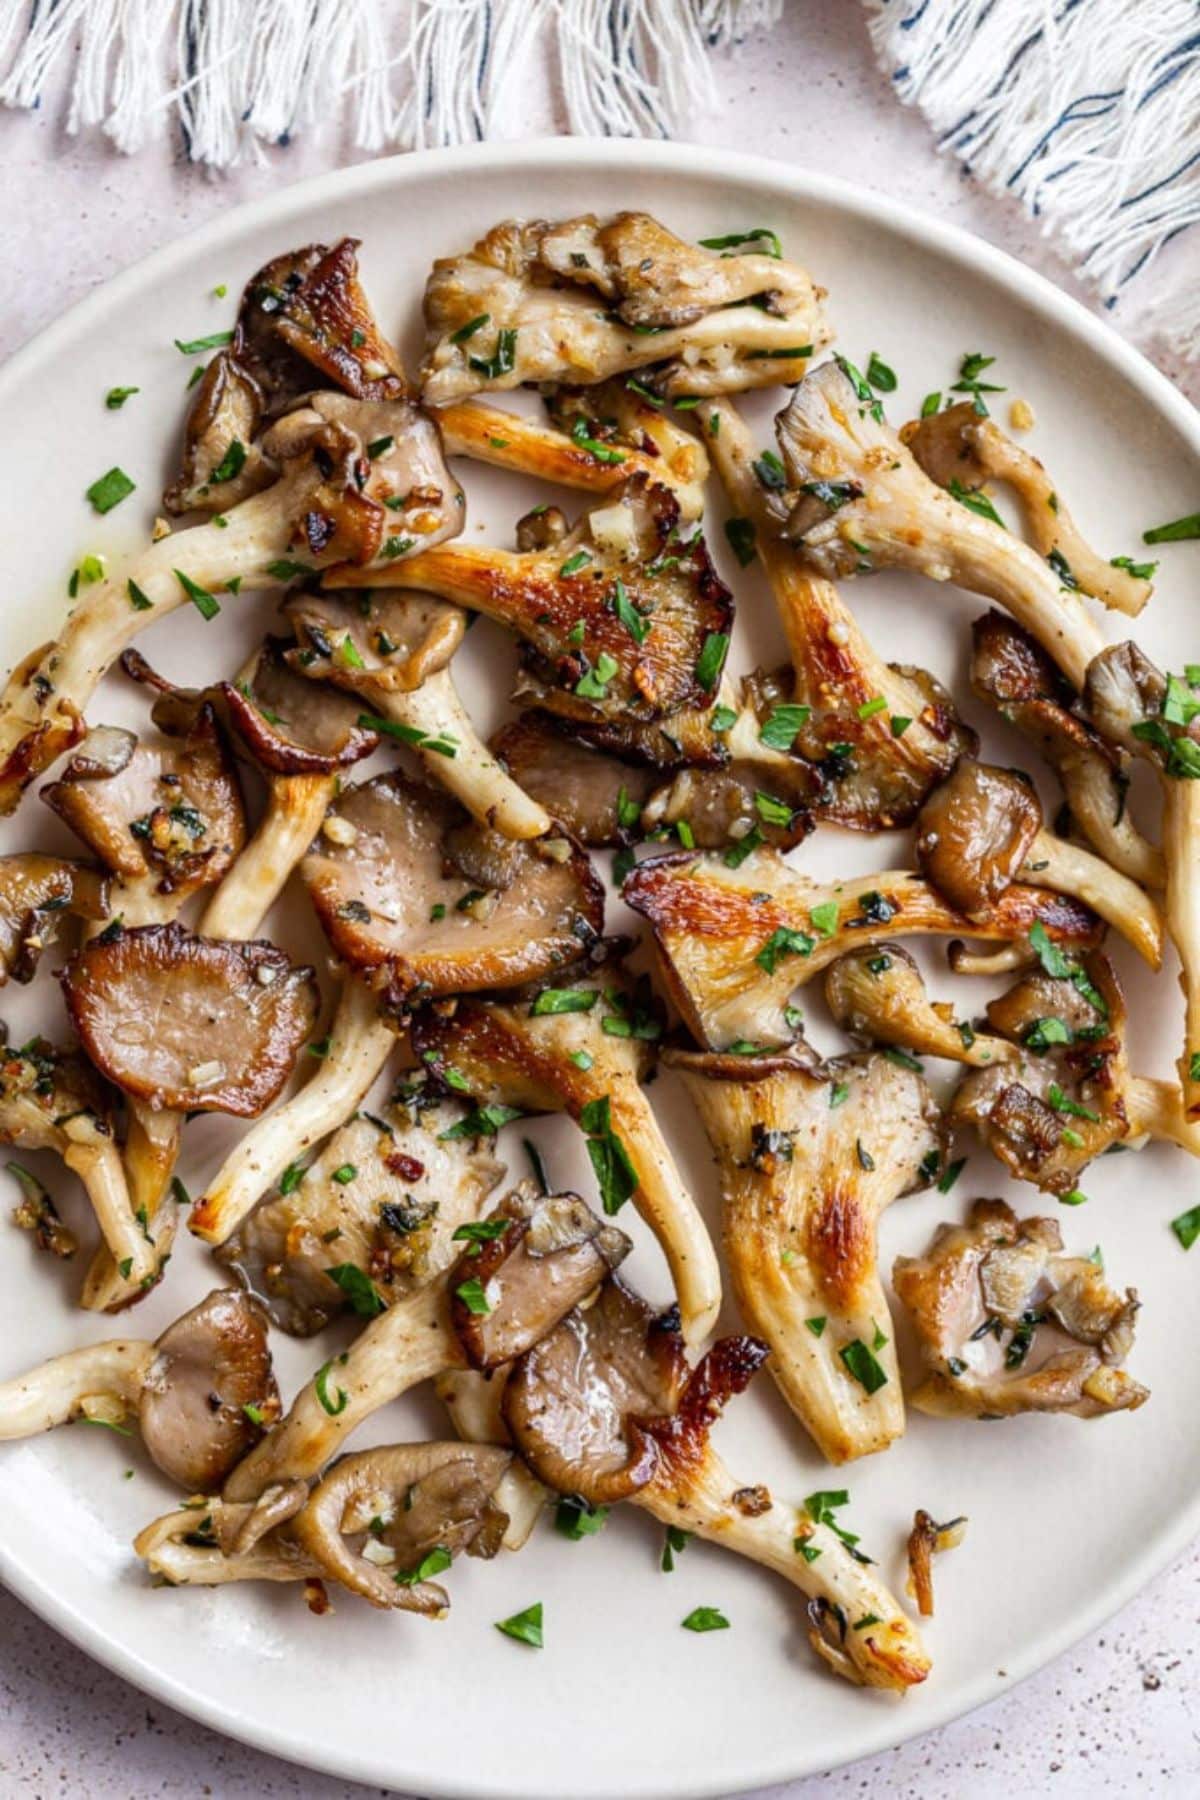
{"points": [[359, 1047]]}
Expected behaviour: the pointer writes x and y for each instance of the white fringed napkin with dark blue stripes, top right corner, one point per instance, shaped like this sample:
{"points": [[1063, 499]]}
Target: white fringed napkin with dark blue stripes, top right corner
{"points": [[1088, 112]]}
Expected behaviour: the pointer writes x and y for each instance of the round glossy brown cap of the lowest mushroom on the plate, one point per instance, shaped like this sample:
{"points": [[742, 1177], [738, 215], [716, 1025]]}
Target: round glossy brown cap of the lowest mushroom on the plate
{"points": [[575, 1401]]}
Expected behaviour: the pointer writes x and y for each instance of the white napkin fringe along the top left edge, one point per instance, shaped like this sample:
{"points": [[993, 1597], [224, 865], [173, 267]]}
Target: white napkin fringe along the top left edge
{"points": [[238, 75]]}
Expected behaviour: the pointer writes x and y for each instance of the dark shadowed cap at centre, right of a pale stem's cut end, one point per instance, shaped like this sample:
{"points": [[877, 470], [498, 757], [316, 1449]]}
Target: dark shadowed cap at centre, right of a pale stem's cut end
{"points": [[595, 796]]}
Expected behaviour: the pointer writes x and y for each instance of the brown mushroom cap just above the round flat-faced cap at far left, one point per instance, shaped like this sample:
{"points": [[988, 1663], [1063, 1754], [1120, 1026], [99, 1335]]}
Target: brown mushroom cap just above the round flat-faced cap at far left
{"points": [[172, 813]]}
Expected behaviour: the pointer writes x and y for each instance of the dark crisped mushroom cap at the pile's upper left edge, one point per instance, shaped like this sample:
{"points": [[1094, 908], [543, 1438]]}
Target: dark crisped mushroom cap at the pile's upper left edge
{"points": [[303, 325]]}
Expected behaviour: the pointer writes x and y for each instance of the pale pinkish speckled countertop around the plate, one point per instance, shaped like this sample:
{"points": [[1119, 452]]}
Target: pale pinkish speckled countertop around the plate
{"points": [[1122, 1713]]}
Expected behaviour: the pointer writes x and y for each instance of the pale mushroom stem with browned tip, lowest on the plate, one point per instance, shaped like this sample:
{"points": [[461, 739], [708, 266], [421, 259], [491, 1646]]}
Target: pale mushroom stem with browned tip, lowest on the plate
{"points": [[888, 1653]]}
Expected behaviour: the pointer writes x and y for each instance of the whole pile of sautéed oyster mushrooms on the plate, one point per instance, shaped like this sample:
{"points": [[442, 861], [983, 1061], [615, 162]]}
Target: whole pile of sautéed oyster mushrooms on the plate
{"points": [[467, 928]]}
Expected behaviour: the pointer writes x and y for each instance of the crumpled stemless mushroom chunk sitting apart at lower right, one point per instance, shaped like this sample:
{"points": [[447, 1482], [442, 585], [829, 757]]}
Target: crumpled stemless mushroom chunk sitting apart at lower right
{"points": [[1008, 1324]]}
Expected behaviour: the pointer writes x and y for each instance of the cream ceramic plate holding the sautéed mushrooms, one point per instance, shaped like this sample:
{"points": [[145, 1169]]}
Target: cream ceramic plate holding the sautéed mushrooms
{"points": [[1068, 1520]]}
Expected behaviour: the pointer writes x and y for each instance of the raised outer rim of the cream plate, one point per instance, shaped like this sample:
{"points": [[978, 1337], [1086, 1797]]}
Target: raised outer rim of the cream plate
{"points": [[882, 1727]]}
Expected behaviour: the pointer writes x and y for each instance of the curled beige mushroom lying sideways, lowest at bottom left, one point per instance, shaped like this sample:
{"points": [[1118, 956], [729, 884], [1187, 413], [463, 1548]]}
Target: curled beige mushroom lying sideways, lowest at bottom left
{"points": [[375, 1525]]}
